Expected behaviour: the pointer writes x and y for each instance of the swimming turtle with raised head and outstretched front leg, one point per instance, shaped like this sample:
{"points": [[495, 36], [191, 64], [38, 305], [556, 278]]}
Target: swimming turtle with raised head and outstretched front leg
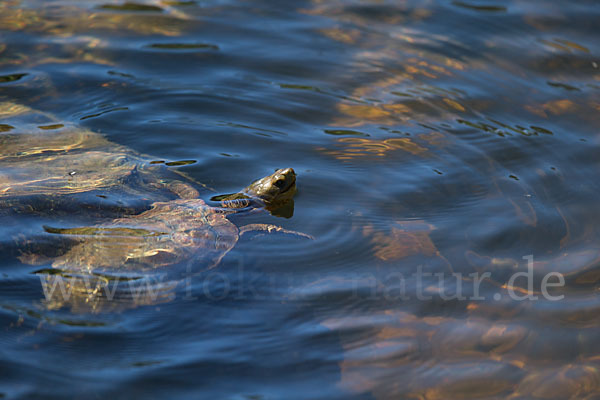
{"points": [[141, 247]]}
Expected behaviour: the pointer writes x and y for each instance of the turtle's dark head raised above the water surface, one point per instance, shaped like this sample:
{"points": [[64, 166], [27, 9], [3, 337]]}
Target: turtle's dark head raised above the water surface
{"points": [[276, 188]]}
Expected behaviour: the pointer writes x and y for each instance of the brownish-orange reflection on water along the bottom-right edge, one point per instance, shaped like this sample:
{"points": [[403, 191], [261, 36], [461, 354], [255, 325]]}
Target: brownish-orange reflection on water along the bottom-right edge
{"points": [[415, 357]]}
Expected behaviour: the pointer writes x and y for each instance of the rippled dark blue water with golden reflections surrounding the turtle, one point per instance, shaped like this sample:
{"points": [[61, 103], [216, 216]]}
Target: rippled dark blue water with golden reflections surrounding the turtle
{"points": [[439, 146]]}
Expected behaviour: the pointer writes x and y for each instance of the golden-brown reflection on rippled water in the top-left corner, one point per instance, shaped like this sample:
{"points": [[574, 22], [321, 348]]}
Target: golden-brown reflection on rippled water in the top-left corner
{"points": [[78, 29]]}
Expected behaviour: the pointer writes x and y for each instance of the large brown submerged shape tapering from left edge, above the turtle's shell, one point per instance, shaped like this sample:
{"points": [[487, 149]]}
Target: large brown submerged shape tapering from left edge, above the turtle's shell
{"points": [[45, 161]]}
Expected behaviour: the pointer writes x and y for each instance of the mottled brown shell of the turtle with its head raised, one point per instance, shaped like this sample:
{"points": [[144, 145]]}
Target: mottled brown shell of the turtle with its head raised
{"points": [[167, 234]]}
